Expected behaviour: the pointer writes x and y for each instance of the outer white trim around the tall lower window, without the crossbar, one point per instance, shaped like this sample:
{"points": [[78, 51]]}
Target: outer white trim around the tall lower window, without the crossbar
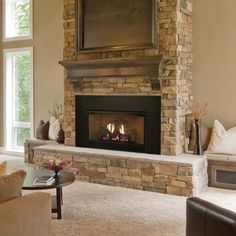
{"points": [[5, 51]]}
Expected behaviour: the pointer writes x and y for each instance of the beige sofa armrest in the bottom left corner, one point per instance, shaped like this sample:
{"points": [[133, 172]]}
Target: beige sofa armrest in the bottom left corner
{"points": [[29, 215]]}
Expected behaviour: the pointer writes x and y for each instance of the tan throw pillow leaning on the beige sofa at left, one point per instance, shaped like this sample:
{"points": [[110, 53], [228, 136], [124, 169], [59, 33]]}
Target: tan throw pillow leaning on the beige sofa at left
{"points": [[11, 185]]}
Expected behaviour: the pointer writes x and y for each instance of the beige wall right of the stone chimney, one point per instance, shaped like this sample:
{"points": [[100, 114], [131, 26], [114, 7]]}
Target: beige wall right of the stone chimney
{"points": [[214, 27]]}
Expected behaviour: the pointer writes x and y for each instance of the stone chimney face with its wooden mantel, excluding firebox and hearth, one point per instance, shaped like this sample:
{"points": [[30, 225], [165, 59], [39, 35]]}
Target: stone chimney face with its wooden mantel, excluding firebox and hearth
{"points": [[164, 71]]}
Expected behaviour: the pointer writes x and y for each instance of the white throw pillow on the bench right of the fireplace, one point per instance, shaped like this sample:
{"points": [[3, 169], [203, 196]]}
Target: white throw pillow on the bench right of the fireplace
{"points": [[222, 141]]}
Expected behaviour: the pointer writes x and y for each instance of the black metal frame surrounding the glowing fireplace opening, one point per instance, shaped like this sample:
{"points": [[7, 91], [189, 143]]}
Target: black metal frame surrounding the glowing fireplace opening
{"points": [[148, 106]]}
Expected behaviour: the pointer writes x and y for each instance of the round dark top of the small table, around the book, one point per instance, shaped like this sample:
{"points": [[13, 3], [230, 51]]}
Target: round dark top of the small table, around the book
{"points": [[65, 178]]}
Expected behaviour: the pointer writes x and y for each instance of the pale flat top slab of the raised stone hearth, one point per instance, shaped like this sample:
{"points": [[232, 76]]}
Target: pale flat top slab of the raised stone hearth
{"points": [[186, 159]]}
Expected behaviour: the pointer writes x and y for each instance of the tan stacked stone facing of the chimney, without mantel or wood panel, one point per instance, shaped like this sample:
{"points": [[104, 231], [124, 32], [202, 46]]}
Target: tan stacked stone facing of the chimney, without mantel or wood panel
{"points": [[174, 40]]}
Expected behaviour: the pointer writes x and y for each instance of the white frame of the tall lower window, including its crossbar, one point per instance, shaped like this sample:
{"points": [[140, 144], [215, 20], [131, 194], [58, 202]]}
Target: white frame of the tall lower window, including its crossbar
{"points": [[6, 109]]}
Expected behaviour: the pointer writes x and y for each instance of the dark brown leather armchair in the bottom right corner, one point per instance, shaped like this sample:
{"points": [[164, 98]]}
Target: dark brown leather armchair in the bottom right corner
{"points": [[207, 219]]}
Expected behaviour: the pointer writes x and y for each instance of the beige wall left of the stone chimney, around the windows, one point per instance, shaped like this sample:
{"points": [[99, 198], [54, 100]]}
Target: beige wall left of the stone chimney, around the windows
{"points": [[48, 50]]}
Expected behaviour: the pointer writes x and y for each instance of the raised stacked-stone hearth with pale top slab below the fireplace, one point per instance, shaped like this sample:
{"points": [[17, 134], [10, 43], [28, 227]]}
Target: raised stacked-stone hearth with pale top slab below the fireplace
{"points": [[184, 175]]}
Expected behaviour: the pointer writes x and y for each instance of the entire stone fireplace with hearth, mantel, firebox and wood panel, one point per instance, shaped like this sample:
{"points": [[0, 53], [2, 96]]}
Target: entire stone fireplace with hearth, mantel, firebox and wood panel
{"points": [[104, 98]]}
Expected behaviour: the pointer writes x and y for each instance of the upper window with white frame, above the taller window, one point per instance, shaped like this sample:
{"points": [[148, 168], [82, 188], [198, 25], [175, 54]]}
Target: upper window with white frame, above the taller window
{"points": [[17, 19]]}
